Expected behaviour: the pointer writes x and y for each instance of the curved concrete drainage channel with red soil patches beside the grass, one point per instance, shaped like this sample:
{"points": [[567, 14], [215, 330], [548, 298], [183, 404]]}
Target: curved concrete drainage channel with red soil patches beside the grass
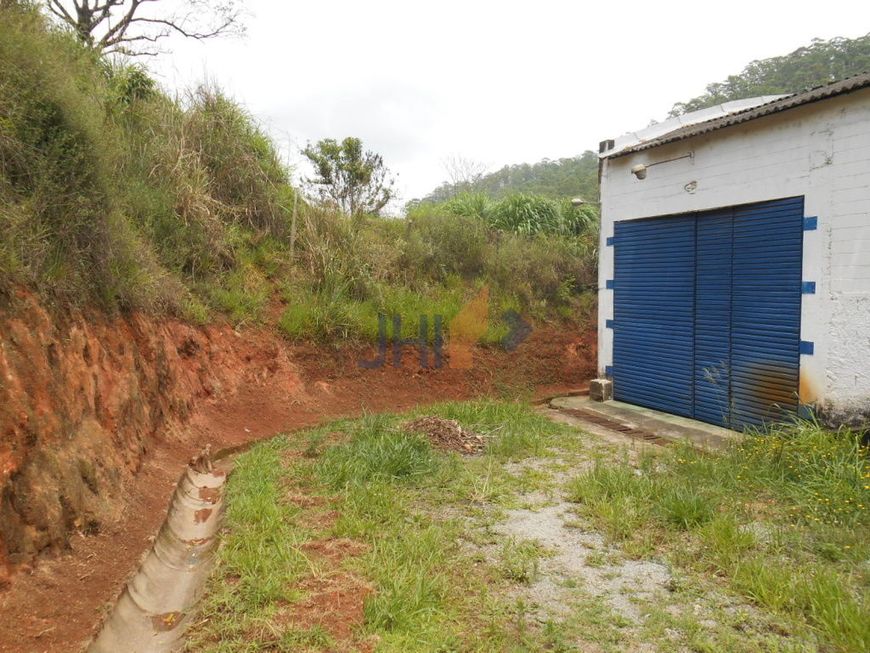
{"points": [[154, 610]]}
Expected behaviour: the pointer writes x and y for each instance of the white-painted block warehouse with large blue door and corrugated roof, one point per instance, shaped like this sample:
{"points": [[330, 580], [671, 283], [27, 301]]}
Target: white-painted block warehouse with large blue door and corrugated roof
{"points": [[734, 269]]}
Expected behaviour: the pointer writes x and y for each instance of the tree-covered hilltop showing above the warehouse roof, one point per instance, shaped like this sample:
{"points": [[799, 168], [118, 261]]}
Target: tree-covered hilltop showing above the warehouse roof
{"points": [[819, 63]]}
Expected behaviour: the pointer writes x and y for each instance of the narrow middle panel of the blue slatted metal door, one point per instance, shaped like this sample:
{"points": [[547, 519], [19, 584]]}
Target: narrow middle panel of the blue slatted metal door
{"points": [[713, 318]]}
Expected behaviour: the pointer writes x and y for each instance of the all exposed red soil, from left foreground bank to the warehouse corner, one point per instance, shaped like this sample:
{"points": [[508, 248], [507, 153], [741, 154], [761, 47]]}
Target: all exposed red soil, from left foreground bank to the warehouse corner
{"points": [[214, 386]]}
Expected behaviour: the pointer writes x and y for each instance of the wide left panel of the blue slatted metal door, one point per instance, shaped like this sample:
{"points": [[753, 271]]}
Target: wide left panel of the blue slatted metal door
{"points": [[654, 302]]}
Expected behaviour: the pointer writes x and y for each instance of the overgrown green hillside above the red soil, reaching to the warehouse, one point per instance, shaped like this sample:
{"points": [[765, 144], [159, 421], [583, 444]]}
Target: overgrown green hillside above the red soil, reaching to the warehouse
{"points": [[116, 195]]}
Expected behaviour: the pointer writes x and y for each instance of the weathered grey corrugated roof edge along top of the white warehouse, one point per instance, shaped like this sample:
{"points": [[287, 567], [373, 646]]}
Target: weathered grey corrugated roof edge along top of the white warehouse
{"points": [[775, 106]]}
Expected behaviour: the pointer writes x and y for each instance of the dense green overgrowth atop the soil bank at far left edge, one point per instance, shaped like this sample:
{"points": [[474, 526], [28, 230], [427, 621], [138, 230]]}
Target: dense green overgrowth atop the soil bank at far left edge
{"points": [[63, 226]]}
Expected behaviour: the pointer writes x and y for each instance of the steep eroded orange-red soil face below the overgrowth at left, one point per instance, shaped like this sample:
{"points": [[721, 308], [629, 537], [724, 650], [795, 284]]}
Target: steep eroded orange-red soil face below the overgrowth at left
{"points": [[83, 401]]}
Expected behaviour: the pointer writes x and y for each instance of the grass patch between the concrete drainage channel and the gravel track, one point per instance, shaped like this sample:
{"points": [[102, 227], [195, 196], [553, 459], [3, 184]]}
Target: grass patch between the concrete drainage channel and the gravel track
{"points": [[385, 488]]}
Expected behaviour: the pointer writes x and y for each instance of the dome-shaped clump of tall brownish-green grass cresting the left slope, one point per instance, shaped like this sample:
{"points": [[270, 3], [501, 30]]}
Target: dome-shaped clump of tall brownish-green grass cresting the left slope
{"points": [[206, 185]]}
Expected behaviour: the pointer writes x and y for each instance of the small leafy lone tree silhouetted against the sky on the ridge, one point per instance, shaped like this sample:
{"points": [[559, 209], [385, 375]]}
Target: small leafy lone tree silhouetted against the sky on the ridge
{"points": [[349, 177]]}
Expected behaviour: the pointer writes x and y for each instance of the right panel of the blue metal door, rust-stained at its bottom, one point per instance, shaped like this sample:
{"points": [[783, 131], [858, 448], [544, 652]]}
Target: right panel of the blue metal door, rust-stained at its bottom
{"points": [[766, 310]]}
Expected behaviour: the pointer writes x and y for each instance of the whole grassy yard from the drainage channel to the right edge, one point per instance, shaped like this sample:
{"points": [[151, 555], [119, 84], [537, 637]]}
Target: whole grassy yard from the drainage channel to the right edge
{"points": [[443, 577]]}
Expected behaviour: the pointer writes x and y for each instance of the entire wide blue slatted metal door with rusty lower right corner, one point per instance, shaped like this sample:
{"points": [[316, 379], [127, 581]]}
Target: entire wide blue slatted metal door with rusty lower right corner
{"points": [[707, 313]]}
